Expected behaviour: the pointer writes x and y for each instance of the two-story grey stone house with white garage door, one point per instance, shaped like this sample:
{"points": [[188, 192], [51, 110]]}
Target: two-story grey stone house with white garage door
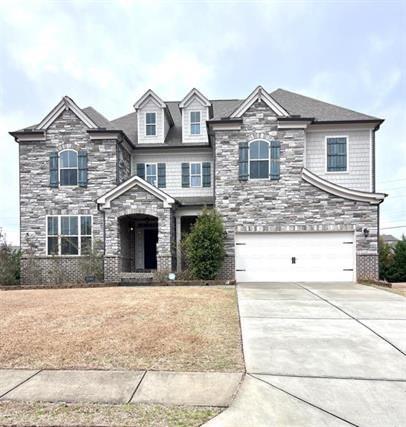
{"points": [[292, 177]]}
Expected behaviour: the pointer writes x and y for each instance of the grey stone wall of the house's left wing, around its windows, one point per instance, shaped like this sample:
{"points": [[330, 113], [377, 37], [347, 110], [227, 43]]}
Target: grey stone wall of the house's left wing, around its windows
{"points": [[37, 199]]}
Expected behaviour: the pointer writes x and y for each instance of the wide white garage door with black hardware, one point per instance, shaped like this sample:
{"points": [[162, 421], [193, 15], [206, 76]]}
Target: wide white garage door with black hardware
{"points": [[300, 257]]}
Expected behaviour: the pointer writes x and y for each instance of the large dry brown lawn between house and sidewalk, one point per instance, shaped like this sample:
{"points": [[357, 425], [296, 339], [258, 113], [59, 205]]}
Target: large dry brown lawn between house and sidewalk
{"points": [[172, 328]]}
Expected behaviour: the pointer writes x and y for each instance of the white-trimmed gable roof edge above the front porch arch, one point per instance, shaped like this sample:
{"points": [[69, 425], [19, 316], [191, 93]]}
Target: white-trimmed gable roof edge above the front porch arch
{"points": [[106, 199]]}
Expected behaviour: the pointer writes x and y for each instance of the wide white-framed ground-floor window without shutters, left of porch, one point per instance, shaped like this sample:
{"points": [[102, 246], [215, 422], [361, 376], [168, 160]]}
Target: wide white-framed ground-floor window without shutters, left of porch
{"points": [[69, 235]]}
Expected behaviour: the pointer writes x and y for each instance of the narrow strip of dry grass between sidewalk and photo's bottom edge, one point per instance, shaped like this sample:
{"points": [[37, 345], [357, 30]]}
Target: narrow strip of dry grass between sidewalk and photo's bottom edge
{"points": [[63, 414]]}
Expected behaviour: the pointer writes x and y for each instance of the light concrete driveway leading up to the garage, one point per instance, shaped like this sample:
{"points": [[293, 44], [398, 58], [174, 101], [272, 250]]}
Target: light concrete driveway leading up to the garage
{"points": [[320, 354]]}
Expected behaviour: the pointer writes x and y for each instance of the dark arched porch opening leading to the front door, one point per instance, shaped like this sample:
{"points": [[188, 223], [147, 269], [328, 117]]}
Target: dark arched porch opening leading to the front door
{"points": [[138, 242]]}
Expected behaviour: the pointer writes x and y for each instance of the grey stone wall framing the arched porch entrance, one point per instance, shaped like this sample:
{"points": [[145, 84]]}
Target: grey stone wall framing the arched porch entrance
{"points": [[137, 201]]}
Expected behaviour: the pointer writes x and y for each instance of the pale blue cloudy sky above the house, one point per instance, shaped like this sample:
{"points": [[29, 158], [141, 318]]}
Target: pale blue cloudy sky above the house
{"points": [[107, 54]]}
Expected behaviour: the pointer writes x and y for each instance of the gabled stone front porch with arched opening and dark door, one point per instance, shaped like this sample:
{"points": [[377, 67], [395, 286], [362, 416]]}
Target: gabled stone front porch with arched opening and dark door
{"points": [[143, 231]]}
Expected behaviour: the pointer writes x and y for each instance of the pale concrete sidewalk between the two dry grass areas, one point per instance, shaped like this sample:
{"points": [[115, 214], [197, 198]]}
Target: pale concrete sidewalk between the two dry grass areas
{"points": [[98, 386]]}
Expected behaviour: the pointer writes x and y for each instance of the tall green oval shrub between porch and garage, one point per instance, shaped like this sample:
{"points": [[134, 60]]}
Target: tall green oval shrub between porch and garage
{"points": [[204, 246]]}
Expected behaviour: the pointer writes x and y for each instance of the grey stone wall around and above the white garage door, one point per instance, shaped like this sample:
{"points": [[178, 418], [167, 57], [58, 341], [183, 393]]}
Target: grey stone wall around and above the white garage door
{"points": [[290, 204]]}
